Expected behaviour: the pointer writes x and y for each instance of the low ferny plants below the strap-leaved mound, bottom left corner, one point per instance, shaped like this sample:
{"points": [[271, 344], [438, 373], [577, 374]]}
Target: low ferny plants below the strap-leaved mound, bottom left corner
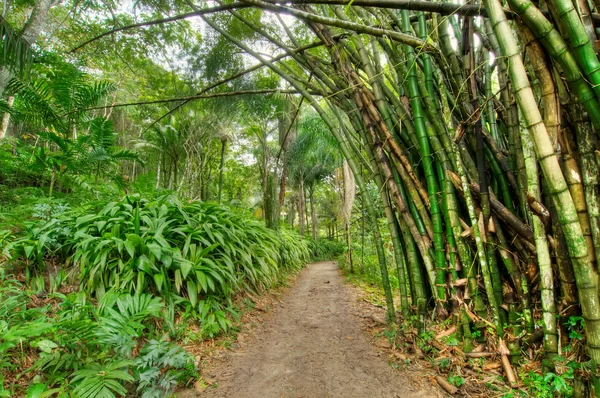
{"points": [[107, 350]]}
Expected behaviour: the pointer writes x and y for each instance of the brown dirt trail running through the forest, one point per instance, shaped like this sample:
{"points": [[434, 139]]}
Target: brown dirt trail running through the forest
{"points": [[311, 347]]}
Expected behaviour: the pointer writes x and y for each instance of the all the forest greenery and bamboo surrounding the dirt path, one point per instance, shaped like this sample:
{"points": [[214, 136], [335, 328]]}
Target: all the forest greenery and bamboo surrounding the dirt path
{"points": [[159, 158]]}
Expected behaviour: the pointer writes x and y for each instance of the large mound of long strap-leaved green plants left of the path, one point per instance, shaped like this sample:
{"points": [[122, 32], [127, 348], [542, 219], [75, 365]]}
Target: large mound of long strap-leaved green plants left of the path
{"points": [[195, 255]]}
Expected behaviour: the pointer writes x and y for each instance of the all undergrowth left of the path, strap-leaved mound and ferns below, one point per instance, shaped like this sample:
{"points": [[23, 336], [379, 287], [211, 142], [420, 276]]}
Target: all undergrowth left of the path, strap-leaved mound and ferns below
{"points": [[93, 298]]}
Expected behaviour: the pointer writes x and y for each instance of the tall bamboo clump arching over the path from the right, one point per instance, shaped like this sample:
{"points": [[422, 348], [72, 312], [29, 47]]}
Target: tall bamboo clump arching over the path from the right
{"points": [[478, 123]]}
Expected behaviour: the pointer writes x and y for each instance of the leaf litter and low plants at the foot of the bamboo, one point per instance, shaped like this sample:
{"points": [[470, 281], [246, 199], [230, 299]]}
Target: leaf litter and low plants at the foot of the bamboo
{"points": [[474, 376]]}
